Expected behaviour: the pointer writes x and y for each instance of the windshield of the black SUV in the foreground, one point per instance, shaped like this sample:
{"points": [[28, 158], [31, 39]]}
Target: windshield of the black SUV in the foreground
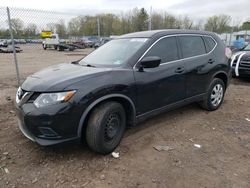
{"points": [[115, 52]]}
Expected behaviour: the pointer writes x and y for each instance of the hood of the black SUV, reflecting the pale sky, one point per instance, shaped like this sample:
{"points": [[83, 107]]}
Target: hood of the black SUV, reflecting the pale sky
{"points": [[58, 77]]}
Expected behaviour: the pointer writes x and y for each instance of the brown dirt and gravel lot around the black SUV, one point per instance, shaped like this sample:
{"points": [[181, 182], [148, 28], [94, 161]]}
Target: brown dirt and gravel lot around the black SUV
{"points": [[222, 161]]}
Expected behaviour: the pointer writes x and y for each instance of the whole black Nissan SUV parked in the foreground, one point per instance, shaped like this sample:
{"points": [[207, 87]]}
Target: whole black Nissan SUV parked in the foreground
{"points": [[125, 81]]}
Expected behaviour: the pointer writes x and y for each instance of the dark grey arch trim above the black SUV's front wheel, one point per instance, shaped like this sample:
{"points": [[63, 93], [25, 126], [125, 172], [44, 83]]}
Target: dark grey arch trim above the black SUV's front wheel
{"points": [[92, 105]]}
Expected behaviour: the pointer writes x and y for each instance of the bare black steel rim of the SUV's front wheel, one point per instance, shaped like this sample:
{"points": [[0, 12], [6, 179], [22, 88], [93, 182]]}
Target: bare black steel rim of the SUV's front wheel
{"points": [[112, 126]]}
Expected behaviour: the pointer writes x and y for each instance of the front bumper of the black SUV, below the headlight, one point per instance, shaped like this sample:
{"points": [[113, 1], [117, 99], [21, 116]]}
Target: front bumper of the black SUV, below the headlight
{"points": [[48, 126]]}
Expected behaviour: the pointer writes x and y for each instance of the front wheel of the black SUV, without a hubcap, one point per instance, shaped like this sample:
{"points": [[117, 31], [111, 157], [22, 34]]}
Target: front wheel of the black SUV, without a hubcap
{"points": [[105, 127]]}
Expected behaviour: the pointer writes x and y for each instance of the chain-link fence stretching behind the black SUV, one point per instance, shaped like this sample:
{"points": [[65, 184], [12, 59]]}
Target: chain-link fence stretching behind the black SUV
{"points": [[30, 39]]}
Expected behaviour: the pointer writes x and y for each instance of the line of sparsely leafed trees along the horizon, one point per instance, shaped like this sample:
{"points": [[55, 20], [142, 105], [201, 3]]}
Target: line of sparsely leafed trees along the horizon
{"points": [[131, 21]]}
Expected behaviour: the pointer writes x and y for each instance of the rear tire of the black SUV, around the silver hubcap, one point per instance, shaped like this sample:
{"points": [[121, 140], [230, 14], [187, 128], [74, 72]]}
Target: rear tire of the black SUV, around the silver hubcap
{"points": [[209, 103]]}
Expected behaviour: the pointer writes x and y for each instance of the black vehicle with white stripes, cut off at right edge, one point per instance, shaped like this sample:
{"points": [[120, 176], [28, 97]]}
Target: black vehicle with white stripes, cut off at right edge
{"points": [[241, 62]]}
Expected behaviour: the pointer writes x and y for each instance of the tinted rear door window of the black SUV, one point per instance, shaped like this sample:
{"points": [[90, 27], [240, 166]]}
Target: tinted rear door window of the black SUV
{"points": [[192, 46]]}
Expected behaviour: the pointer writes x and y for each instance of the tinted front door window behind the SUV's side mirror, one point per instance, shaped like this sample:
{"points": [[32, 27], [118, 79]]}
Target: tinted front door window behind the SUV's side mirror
{"points": [[166, 49]]}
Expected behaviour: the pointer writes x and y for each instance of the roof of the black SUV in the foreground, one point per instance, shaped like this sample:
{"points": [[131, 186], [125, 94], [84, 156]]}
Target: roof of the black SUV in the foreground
{"points": [[155, 33]]}
